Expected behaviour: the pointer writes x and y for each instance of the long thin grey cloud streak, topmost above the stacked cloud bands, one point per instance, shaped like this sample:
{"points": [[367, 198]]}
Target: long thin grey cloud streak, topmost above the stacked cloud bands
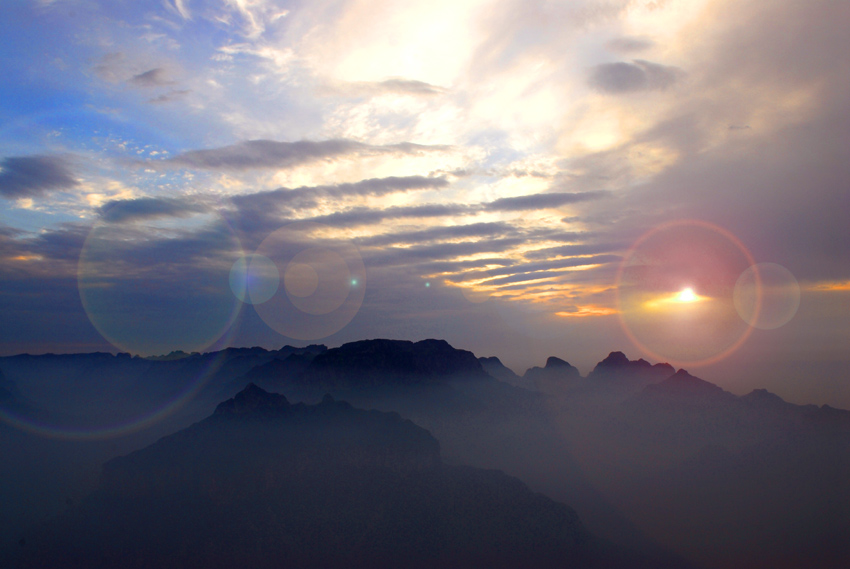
{"points": [[272, 154]]}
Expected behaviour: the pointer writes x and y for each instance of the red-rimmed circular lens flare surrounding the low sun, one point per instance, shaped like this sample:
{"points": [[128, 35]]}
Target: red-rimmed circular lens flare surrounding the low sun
{"points": [[675, 293]]}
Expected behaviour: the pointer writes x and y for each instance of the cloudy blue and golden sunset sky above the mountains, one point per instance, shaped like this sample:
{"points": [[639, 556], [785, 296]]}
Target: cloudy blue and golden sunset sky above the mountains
{"points": [[667, 178]]}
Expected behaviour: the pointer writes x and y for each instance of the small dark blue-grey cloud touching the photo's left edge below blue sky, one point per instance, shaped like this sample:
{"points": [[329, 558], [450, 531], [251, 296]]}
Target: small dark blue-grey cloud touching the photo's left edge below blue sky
{"points": [[34, 176]]}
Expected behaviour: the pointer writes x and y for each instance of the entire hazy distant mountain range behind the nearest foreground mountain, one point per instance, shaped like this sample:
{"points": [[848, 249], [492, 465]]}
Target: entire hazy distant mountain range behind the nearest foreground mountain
{"points": [[654, 459]]}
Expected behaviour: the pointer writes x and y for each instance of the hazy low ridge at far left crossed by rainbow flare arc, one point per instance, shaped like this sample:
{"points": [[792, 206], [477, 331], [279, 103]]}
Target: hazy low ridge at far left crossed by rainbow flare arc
{"points": [[82, 392]]}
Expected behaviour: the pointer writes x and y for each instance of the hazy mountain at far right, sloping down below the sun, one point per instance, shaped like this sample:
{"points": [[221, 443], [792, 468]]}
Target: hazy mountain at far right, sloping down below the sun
{"points": [[728, 481]]}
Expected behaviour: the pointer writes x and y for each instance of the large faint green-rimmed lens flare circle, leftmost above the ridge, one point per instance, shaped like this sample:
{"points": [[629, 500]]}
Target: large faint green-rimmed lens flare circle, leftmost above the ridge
{"points": [[152, 286]]}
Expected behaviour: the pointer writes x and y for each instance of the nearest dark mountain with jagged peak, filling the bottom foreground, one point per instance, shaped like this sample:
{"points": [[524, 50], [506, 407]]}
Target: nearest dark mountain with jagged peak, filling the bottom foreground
{"points": [[263, 483]]}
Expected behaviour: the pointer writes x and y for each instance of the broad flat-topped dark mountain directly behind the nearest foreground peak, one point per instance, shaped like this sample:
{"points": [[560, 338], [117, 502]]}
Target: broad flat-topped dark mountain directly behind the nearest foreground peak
{"points": [[479, 420]]}
